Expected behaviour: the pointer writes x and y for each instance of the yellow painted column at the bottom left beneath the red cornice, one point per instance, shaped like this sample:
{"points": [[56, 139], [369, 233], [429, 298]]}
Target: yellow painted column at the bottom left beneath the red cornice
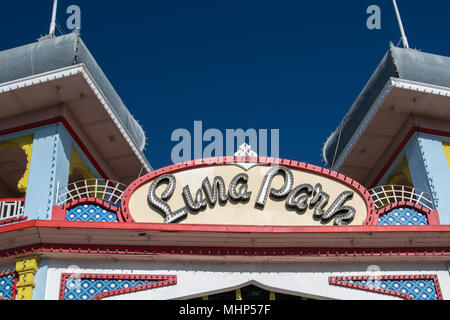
{"points": [[26, 268]]}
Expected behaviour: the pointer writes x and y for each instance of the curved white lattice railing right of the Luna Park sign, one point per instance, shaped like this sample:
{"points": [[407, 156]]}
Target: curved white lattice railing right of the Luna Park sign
{"points": [[385, 195]]}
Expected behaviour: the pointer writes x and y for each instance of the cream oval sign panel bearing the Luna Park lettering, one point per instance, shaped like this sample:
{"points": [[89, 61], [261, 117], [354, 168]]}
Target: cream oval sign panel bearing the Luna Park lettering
{"points": [[261, 195]]}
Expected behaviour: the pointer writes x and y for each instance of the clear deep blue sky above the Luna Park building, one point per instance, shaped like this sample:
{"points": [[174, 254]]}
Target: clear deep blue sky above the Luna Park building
{"points": [[291, 65]]}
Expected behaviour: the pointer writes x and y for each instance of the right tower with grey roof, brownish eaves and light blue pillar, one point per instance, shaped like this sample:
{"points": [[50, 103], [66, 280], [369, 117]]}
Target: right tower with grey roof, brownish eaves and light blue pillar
{"points": [[395, 138]]}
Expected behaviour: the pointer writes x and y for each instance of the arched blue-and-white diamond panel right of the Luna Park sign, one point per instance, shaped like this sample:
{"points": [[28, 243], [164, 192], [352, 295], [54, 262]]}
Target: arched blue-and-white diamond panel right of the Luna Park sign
{"points": [[403, 217]]}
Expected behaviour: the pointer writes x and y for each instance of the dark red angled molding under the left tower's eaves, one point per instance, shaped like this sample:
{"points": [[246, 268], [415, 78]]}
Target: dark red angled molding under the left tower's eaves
{"points": [[72, 132]]}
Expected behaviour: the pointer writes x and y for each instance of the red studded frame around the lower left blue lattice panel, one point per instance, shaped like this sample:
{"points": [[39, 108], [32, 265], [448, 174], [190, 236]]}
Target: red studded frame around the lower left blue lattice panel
{"points": [[161, 281]]}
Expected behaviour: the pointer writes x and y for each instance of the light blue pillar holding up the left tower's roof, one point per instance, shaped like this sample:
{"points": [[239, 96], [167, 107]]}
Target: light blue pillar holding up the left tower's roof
{"points": [[50, 162]]}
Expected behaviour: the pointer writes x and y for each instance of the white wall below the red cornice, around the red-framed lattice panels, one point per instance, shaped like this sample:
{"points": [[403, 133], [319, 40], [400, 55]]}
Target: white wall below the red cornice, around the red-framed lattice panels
{"points": [[199, 279]]}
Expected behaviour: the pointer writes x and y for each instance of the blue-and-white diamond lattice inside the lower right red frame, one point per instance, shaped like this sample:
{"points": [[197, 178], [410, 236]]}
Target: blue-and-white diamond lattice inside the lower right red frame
{"points": [[418, 289]]}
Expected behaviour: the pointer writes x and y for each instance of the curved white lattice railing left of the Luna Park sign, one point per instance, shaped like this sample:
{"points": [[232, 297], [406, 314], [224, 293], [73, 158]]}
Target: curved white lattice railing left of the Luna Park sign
{"points": [[107, 190]]}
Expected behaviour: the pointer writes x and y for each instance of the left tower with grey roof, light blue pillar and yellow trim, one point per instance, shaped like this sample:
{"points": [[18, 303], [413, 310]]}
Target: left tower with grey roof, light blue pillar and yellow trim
{"points": [[61, 121]]}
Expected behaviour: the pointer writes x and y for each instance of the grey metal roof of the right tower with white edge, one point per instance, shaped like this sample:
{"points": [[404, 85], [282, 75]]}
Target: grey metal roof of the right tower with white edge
{"points": [[398, 63]]}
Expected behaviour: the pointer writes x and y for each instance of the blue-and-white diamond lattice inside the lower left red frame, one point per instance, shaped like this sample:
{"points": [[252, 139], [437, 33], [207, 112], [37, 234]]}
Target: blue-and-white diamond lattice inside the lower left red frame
{"points": [[86, 289]]}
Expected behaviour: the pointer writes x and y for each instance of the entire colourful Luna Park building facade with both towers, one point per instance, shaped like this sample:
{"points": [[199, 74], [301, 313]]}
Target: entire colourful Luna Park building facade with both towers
{"points": [[76, 224]]}
